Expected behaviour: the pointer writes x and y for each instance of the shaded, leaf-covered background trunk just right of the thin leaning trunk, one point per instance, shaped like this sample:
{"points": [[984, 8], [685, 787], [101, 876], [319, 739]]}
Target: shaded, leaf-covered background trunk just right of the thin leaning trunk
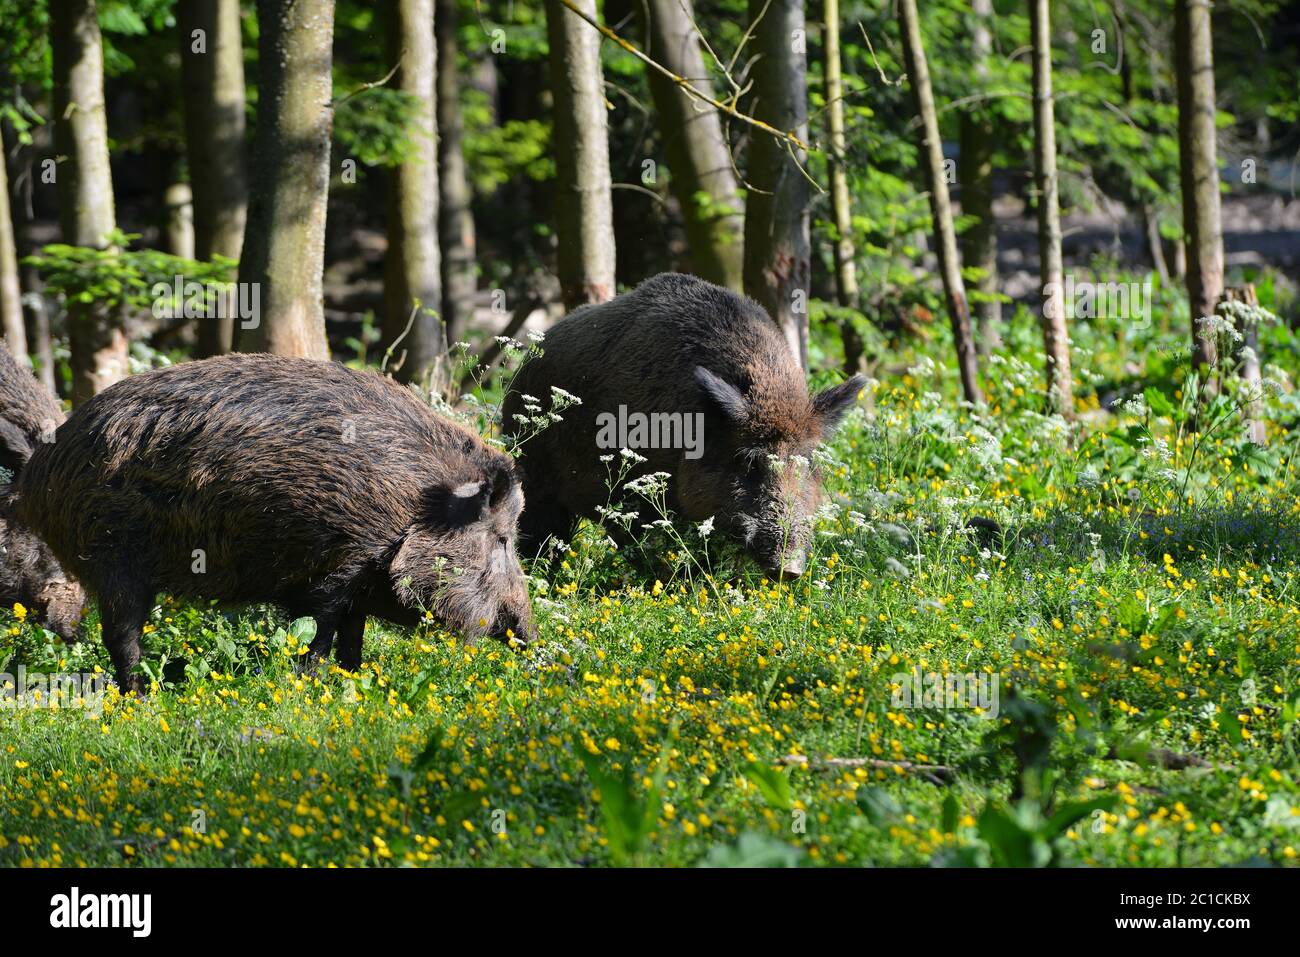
{"points": [[980, 243]]}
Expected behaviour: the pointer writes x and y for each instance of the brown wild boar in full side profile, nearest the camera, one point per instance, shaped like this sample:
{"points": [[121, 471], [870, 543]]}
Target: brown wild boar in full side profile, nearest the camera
{"points": [[330, 492]]}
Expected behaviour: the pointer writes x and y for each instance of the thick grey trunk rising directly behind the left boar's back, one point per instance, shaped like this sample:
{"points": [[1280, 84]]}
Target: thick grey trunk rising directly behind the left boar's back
{"points": [[284, 250]]}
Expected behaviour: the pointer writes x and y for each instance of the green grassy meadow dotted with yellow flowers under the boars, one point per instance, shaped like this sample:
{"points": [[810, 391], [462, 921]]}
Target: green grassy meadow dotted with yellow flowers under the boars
{"points": [[1142, 613]]}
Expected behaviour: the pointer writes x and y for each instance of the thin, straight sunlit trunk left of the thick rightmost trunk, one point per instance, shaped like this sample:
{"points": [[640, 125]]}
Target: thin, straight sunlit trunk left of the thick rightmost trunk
{"points": [[1056, 336]]}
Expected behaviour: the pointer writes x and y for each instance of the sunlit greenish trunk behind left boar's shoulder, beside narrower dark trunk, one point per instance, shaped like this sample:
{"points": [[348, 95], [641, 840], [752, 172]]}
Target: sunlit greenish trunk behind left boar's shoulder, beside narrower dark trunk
{"points": [[413, 269]]}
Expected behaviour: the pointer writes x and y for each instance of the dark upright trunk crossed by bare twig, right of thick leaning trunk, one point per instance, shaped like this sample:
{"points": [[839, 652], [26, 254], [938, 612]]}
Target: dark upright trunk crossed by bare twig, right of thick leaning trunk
{"points": [[778, 248]]}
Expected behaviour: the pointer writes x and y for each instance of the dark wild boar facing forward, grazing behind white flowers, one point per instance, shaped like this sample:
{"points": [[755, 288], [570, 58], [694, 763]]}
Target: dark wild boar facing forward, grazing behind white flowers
{"points": [[699, 382]]}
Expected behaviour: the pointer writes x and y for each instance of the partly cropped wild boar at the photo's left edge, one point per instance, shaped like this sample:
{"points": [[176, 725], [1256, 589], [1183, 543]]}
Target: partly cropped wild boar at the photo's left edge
{"points": [[29, 573]]}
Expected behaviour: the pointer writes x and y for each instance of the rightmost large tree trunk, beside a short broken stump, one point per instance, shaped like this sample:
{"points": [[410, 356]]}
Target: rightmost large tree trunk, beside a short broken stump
{"points": [[1198, 161]]}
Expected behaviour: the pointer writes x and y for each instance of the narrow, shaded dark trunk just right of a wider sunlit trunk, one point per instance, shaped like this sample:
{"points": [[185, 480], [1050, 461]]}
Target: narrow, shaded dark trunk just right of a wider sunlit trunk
{"points": [[456, 219]]}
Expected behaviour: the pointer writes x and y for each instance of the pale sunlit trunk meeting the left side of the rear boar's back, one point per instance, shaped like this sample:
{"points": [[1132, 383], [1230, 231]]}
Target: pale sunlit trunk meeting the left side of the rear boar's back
{"points": [[584, 210]]}
